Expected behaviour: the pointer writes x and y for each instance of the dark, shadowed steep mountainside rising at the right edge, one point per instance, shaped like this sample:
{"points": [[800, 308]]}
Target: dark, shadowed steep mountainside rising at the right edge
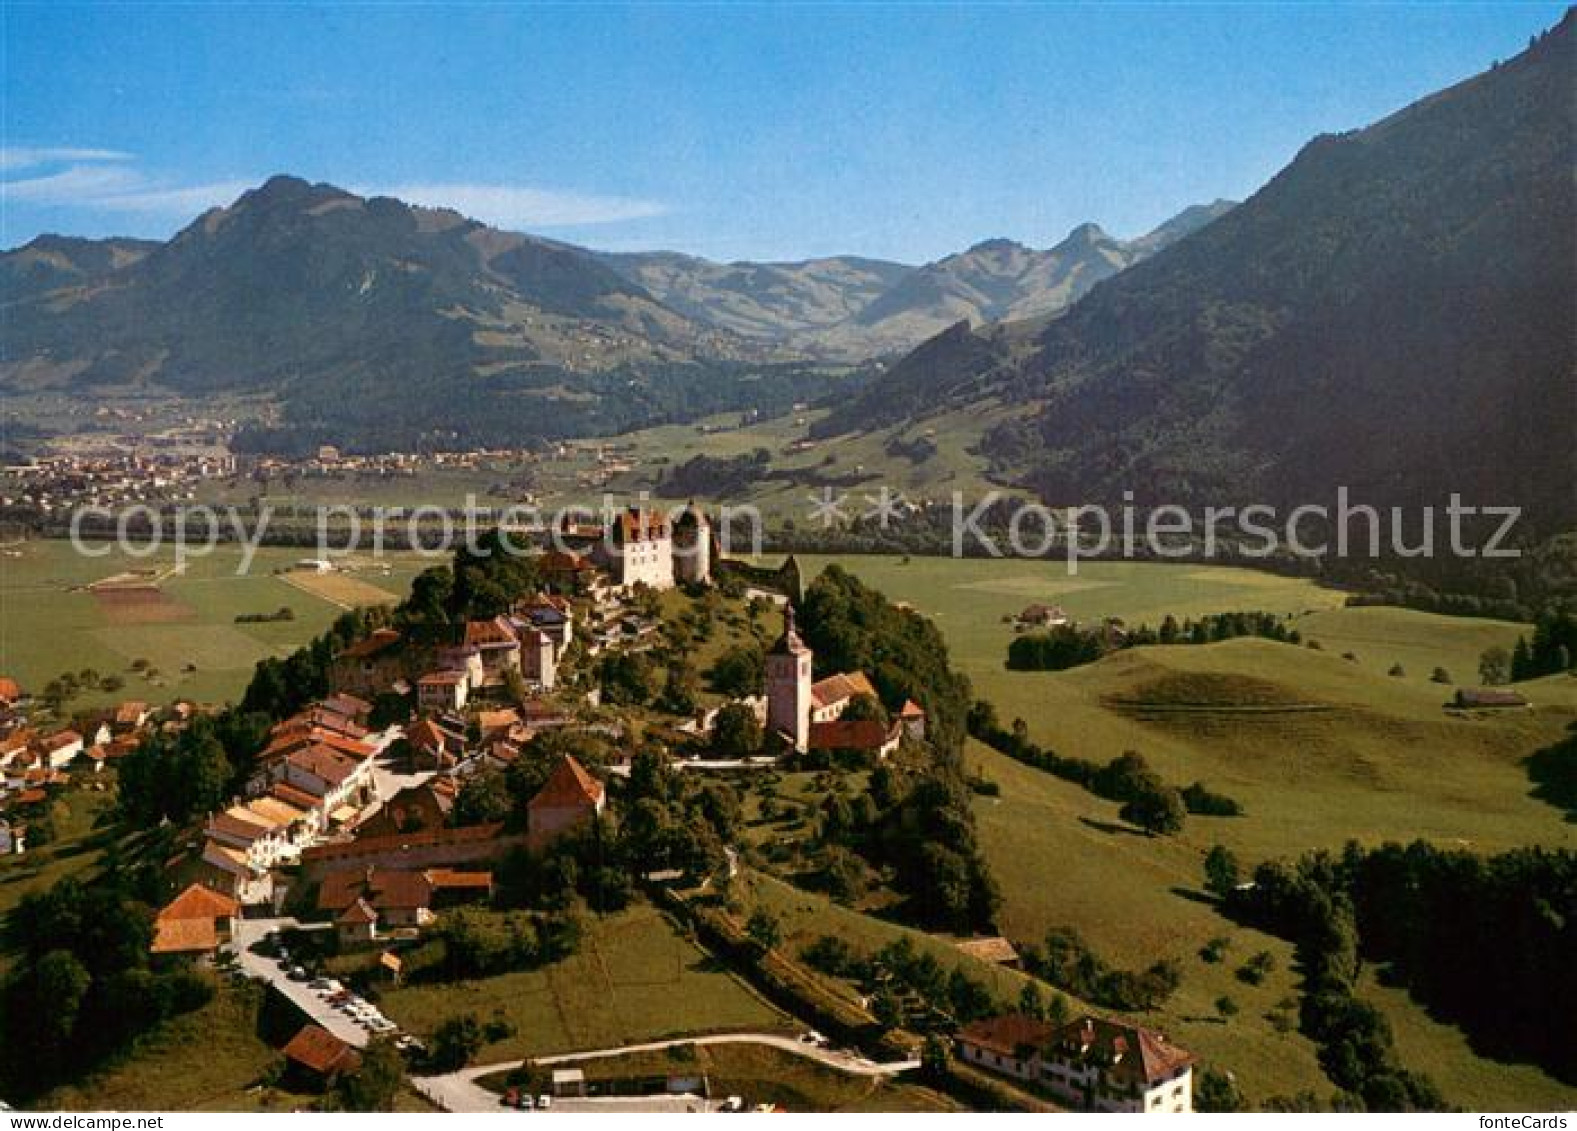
{"points": [[1392, 313]]}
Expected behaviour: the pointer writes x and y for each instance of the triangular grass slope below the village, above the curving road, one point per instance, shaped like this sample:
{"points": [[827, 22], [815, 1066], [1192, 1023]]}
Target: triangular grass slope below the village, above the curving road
{"points": [[635, 979]]}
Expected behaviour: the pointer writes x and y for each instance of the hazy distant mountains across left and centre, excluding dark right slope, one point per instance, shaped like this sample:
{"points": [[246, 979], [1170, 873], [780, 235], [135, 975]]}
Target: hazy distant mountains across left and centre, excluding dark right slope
{"points": [[343, 307]]}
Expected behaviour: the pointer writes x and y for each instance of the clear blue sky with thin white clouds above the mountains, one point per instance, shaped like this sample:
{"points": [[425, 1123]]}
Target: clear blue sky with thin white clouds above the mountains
{"points": [[731, 132]]}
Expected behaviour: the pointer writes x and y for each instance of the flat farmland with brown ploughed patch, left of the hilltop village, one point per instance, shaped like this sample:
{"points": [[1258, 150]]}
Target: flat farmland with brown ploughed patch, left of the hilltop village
{"points": [[53, 624]]}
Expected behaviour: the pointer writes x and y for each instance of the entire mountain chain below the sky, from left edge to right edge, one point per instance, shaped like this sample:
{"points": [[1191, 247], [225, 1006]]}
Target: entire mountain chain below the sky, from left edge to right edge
{"points": [[1392, 313]]}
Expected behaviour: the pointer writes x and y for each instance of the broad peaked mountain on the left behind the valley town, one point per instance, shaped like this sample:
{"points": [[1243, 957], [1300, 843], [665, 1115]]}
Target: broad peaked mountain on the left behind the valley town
{"points": [[345, 307]]}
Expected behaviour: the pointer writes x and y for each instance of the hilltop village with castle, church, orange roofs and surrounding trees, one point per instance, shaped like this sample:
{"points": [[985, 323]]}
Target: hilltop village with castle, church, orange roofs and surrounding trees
{"points": [[449, 789]]}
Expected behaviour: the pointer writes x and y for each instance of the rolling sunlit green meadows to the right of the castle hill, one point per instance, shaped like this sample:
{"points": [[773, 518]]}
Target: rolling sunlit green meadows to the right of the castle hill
{"points": [[1318, 748]]}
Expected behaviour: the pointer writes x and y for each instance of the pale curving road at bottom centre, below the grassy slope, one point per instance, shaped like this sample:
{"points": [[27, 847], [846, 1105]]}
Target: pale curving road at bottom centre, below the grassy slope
{"points": [[460, 1092]]}
